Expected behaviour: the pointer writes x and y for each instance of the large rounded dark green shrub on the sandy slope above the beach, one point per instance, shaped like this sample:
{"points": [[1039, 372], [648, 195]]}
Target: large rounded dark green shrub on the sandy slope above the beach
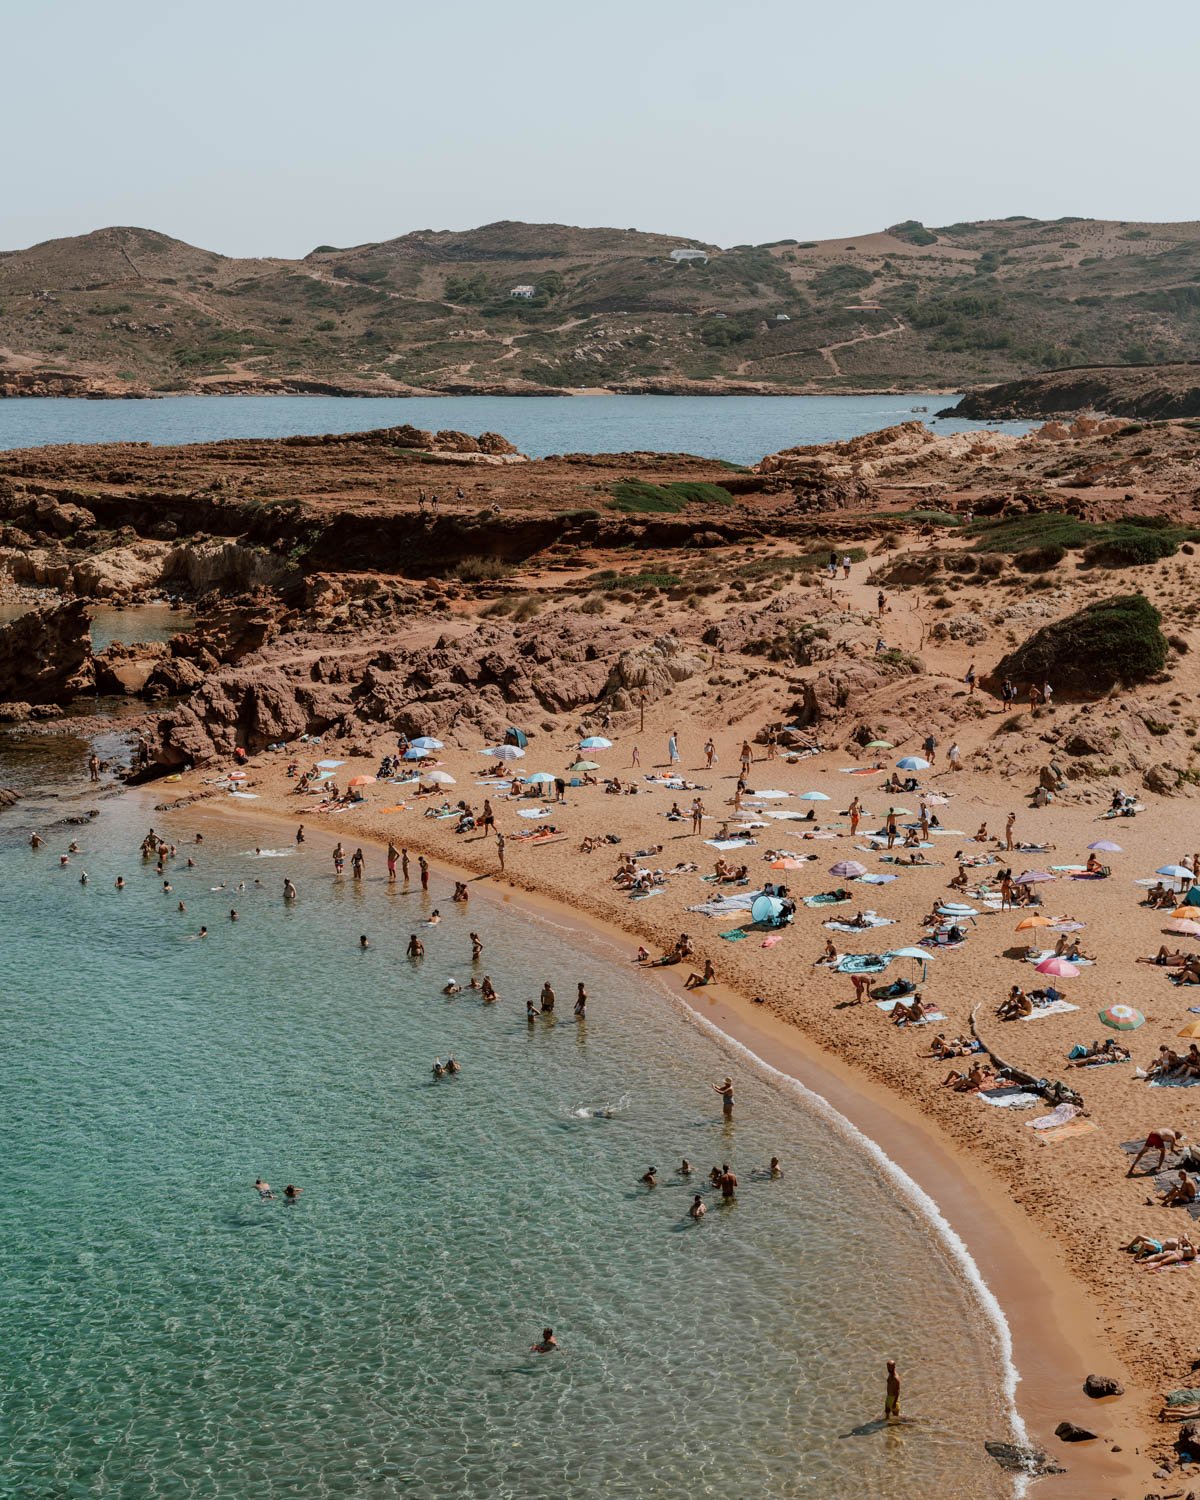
{"points": [[1114, 641]]}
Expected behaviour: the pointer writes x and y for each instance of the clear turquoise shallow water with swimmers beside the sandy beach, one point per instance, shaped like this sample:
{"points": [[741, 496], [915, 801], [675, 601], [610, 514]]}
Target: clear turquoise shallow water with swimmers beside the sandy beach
{"points": [[169, 1336]]}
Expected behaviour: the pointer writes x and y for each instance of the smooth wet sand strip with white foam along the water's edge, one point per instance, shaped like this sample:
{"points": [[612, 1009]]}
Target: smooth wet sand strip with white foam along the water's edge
{"points": [[1045, 1328]]}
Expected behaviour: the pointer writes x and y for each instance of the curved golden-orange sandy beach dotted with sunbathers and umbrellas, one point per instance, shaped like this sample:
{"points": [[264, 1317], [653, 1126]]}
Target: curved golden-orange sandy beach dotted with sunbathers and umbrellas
{"points": [[1043, 1219]]}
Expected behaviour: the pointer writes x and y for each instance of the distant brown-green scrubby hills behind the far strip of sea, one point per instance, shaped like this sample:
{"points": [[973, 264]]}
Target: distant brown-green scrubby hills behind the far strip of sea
{"points": [[125, 310]]}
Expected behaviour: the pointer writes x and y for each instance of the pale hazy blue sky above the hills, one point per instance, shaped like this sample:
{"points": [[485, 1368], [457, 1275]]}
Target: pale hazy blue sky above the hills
{"points": [[256, 128]]}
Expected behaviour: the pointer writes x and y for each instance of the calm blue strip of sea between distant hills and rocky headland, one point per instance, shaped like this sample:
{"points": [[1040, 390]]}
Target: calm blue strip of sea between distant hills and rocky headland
{"points": [[736, 428]]}
